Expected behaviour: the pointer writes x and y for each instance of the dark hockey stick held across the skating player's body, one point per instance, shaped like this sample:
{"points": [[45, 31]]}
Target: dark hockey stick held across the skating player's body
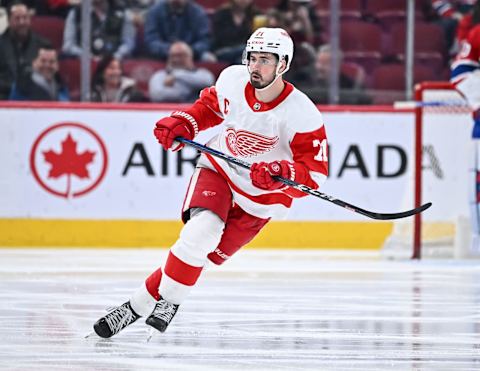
{"points": [[306, 189]]}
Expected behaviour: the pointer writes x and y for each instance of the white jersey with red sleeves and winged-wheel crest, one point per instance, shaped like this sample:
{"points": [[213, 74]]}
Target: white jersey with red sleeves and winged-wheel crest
{"points": [[288, 128]]}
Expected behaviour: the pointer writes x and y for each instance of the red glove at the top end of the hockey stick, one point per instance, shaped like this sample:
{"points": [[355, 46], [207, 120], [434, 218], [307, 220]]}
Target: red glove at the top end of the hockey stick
{"points": [[180, 124]]}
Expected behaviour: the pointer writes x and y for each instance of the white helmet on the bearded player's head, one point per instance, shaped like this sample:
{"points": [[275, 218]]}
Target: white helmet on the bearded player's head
{"points": [[270, 40]]}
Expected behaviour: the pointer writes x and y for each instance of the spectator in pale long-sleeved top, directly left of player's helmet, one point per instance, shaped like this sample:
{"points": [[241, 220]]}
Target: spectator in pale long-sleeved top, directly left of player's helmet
{"points": [[181, 81]]}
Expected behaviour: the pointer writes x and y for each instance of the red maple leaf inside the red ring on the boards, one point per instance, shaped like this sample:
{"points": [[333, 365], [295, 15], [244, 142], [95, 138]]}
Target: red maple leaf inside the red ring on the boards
{"points": [[68, 162]]}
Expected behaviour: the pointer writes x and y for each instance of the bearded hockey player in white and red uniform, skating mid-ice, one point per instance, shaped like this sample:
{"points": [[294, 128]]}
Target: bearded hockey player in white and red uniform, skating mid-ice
{"points": [[267, 122]]}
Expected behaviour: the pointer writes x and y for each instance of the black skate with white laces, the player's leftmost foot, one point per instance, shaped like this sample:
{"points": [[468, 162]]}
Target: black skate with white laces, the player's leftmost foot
{"points": [[115, 321]]}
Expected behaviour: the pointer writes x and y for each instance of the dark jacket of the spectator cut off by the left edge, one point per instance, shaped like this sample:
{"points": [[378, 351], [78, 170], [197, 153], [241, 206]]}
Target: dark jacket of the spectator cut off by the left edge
{"points": [[15, 58]]}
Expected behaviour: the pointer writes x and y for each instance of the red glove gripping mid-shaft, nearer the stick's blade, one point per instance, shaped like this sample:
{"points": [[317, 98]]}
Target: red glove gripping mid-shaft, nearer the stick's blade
{"points": [[261, 174]]}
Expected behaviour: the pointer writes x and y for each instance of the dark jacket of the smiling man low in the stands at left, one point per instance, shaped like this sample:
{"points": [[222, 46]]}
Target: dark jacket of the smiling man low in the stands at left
{"points": [[31, 86]]}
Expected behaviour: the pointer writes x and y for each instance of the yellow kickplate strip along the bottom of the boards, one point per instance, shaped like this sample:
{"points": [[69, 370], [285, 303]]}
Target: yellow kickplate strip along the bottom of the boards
{"points": [[141, 233]]}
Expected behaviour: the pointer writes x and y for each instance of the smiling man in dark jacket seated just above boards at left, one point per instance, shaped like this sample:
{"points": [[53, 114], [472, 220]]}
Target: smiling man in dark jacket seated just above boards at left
{"points": [[42, 82]]}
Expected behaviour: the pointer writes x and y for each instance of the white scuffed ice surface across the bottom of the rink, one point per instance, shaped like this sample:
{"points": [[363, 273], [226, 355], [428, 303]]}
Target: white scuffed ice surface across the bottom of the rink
{"points": [[265, 310]]}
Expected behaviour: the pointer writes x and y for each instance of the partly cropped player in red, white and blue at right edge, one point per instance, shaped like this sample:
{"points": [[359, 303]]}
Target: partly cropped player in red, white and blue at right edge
{"points": [[466, 78]]}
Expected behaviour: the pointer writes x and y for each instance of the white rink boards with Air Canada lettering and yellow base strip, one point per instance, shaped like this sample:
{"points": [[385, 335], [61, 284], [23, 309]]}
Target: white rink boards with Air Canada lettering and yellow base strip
{"points": [[94, 175]]}
